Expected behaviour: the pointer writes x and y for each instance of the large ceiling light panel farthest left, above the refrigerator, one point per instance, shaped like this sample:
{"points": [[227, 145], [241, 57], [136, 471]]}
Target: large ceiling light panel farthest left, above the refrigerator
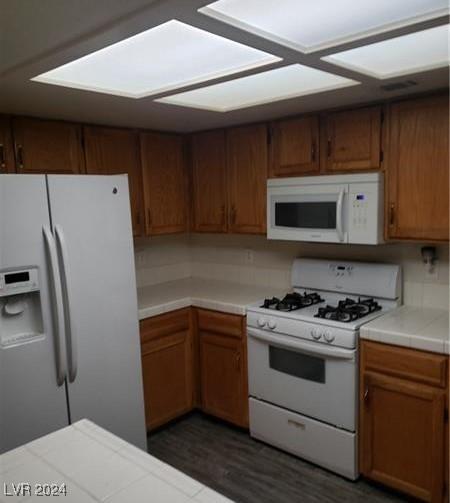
{"points": [[163, 58]]}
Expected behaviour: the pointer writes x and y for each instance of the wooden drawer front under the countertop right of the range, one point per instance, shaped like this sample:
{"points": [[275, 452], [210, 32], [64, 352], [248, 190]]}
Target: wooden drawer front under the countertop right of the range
{"points": [[411, 364]]}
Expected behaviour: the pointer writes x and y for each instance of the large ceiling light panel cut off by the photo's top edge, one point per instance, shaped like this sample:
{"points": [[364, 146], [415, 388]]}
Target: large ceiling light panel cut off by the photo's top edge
{"points": [[311, 25]]}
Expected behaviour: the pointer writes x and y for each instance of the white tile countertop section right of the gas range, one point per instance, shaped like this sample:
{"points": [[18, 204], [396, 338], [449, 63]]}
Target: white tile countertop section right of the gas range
{"points": [[412, 327]]}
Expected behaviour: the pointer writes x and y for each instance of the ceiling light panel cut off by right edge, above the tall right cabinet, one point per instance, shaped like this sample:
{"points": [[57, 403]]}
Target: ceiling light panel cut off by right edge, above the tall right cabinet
{"points": [[413, 53]]}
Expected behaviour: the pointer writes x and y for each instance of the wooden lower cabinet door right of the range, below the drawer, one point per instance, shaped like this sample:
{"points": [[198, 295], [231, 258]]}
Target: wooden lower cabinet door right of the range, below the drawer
{"points": [[402, 435]]}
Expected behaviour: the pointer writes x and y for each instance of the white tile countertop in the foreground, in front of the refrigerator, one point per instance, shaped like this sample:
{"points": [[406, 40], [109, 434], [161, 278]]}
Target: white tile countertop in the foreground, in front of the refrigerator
{"points": [[96, 466]]}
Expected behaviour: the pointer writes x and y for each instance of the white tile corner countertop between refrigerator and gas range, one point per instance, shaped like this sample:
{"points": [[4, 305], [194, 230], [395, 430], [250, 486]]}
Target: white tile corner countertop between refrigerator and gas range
{"points": [[209, 294]]}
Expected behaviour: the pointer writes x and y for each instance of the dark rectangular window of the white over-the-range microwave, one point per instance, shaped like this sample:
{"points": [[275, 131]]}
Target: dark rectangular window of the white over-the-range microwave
{"points": [[306, 215]]}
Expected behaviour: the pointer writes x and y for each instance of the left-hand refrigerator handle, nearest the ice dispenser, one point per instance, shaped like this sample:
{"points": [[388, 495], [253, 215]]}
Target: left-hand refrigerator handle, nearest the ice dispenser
{"points": [[57, 306]]}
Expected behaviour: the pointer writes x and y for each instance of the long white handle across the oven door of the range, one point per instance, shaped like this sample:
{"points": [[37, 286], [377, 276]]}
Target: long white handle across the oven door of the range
{"points": [[312, 348]]}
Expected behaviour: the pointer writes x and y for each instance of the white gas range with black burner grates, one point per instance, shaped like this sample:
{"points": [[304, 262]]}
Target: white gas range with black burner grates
{"points": [[303, 358]]}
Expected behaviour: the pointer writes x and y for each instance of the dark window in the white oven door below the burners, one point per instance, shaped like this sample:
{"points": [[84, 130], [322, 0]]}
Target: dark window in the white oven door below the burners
{"points": [[296, 364]]}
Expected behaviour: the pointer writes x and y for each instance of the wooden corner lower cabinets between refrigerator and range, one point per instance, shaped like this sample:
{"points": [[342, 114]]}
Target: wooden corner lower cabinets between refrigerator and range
{"points": [[194, 358]]}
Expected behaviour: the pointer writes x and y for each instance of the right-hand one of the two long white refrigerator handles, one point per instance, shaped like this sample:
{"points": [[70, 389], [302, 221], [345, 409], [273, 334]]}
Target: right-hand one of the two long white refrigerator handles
{"points": [[65, 282]]}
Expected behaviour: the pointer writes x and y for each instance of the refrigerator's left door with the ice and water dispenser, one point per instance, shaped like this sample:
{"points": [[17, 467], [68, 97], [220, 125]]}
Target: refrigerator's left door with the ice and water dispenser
{"points": [[32, 403]]}
